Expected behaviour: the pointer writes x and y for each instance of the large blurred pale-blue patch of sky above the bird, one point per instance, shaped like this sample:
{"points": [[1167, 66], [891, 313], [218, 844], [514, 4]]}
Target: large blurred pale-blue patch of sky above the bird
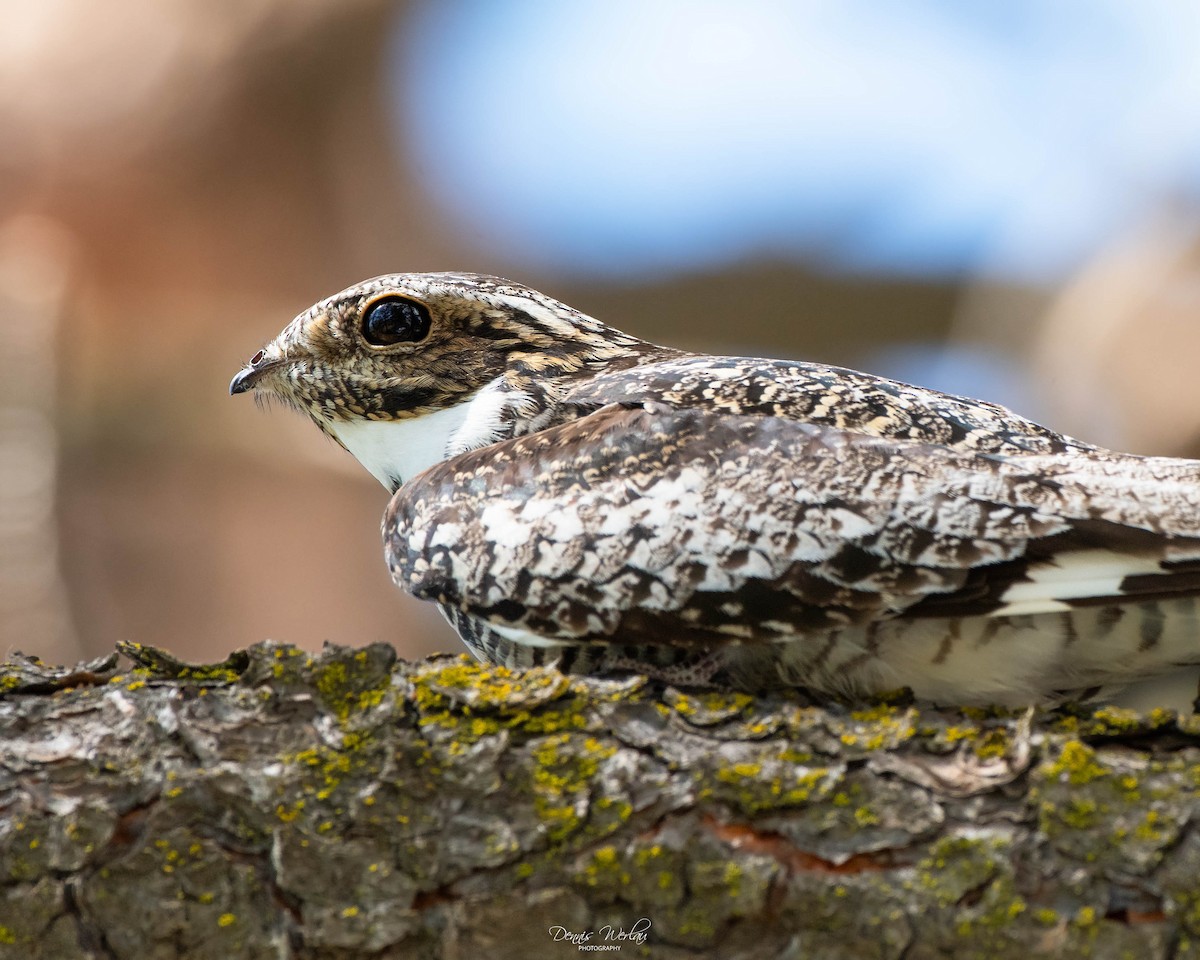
{"points": [[929, 139]]}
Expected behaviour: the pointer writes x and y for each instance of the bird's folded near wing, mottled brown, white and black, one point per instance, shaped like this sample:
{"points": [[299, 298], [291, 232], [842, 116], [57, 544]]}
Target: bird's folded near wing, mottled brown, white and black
{"points": [[651, 524]]}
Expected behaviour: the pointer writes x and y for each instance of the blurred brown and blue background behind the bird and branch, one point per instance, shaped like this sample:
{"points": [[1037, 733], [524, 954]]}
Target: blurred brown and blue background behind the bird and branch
{"points": [[1000, 200]]}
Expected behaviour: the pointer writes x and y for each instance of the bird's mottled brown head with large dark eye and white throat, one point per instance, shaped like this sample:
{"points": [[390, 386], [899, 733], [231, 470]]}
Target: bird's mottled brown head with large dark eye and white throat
{"points": [[409, 347]]}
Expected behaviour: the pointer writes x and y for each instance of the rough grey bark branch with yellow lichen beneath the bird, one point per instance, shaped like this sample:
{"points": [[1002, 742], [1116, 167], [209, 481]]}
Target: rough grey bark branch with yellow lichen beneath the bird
{"points": [[349, 806]]}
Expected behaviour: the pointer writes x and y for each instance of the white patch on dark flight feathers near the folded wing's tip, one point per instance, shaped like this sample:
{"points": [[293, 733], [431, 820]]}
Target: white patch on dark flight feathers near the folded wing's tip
{"points": [[1071, 577]]}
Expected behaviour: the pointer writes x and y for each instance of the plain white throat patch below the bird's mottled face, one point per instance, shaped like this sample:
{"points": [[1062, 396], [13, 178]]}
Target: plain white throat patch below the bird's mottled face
{"points": [[394, 452]]}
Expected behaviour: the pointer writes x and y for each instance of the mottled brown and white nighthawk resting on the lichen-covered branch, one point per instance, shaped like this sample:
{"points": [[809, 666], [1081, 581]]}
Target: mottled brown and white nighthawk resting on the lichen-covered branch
{"points": [[571, 495]]}
